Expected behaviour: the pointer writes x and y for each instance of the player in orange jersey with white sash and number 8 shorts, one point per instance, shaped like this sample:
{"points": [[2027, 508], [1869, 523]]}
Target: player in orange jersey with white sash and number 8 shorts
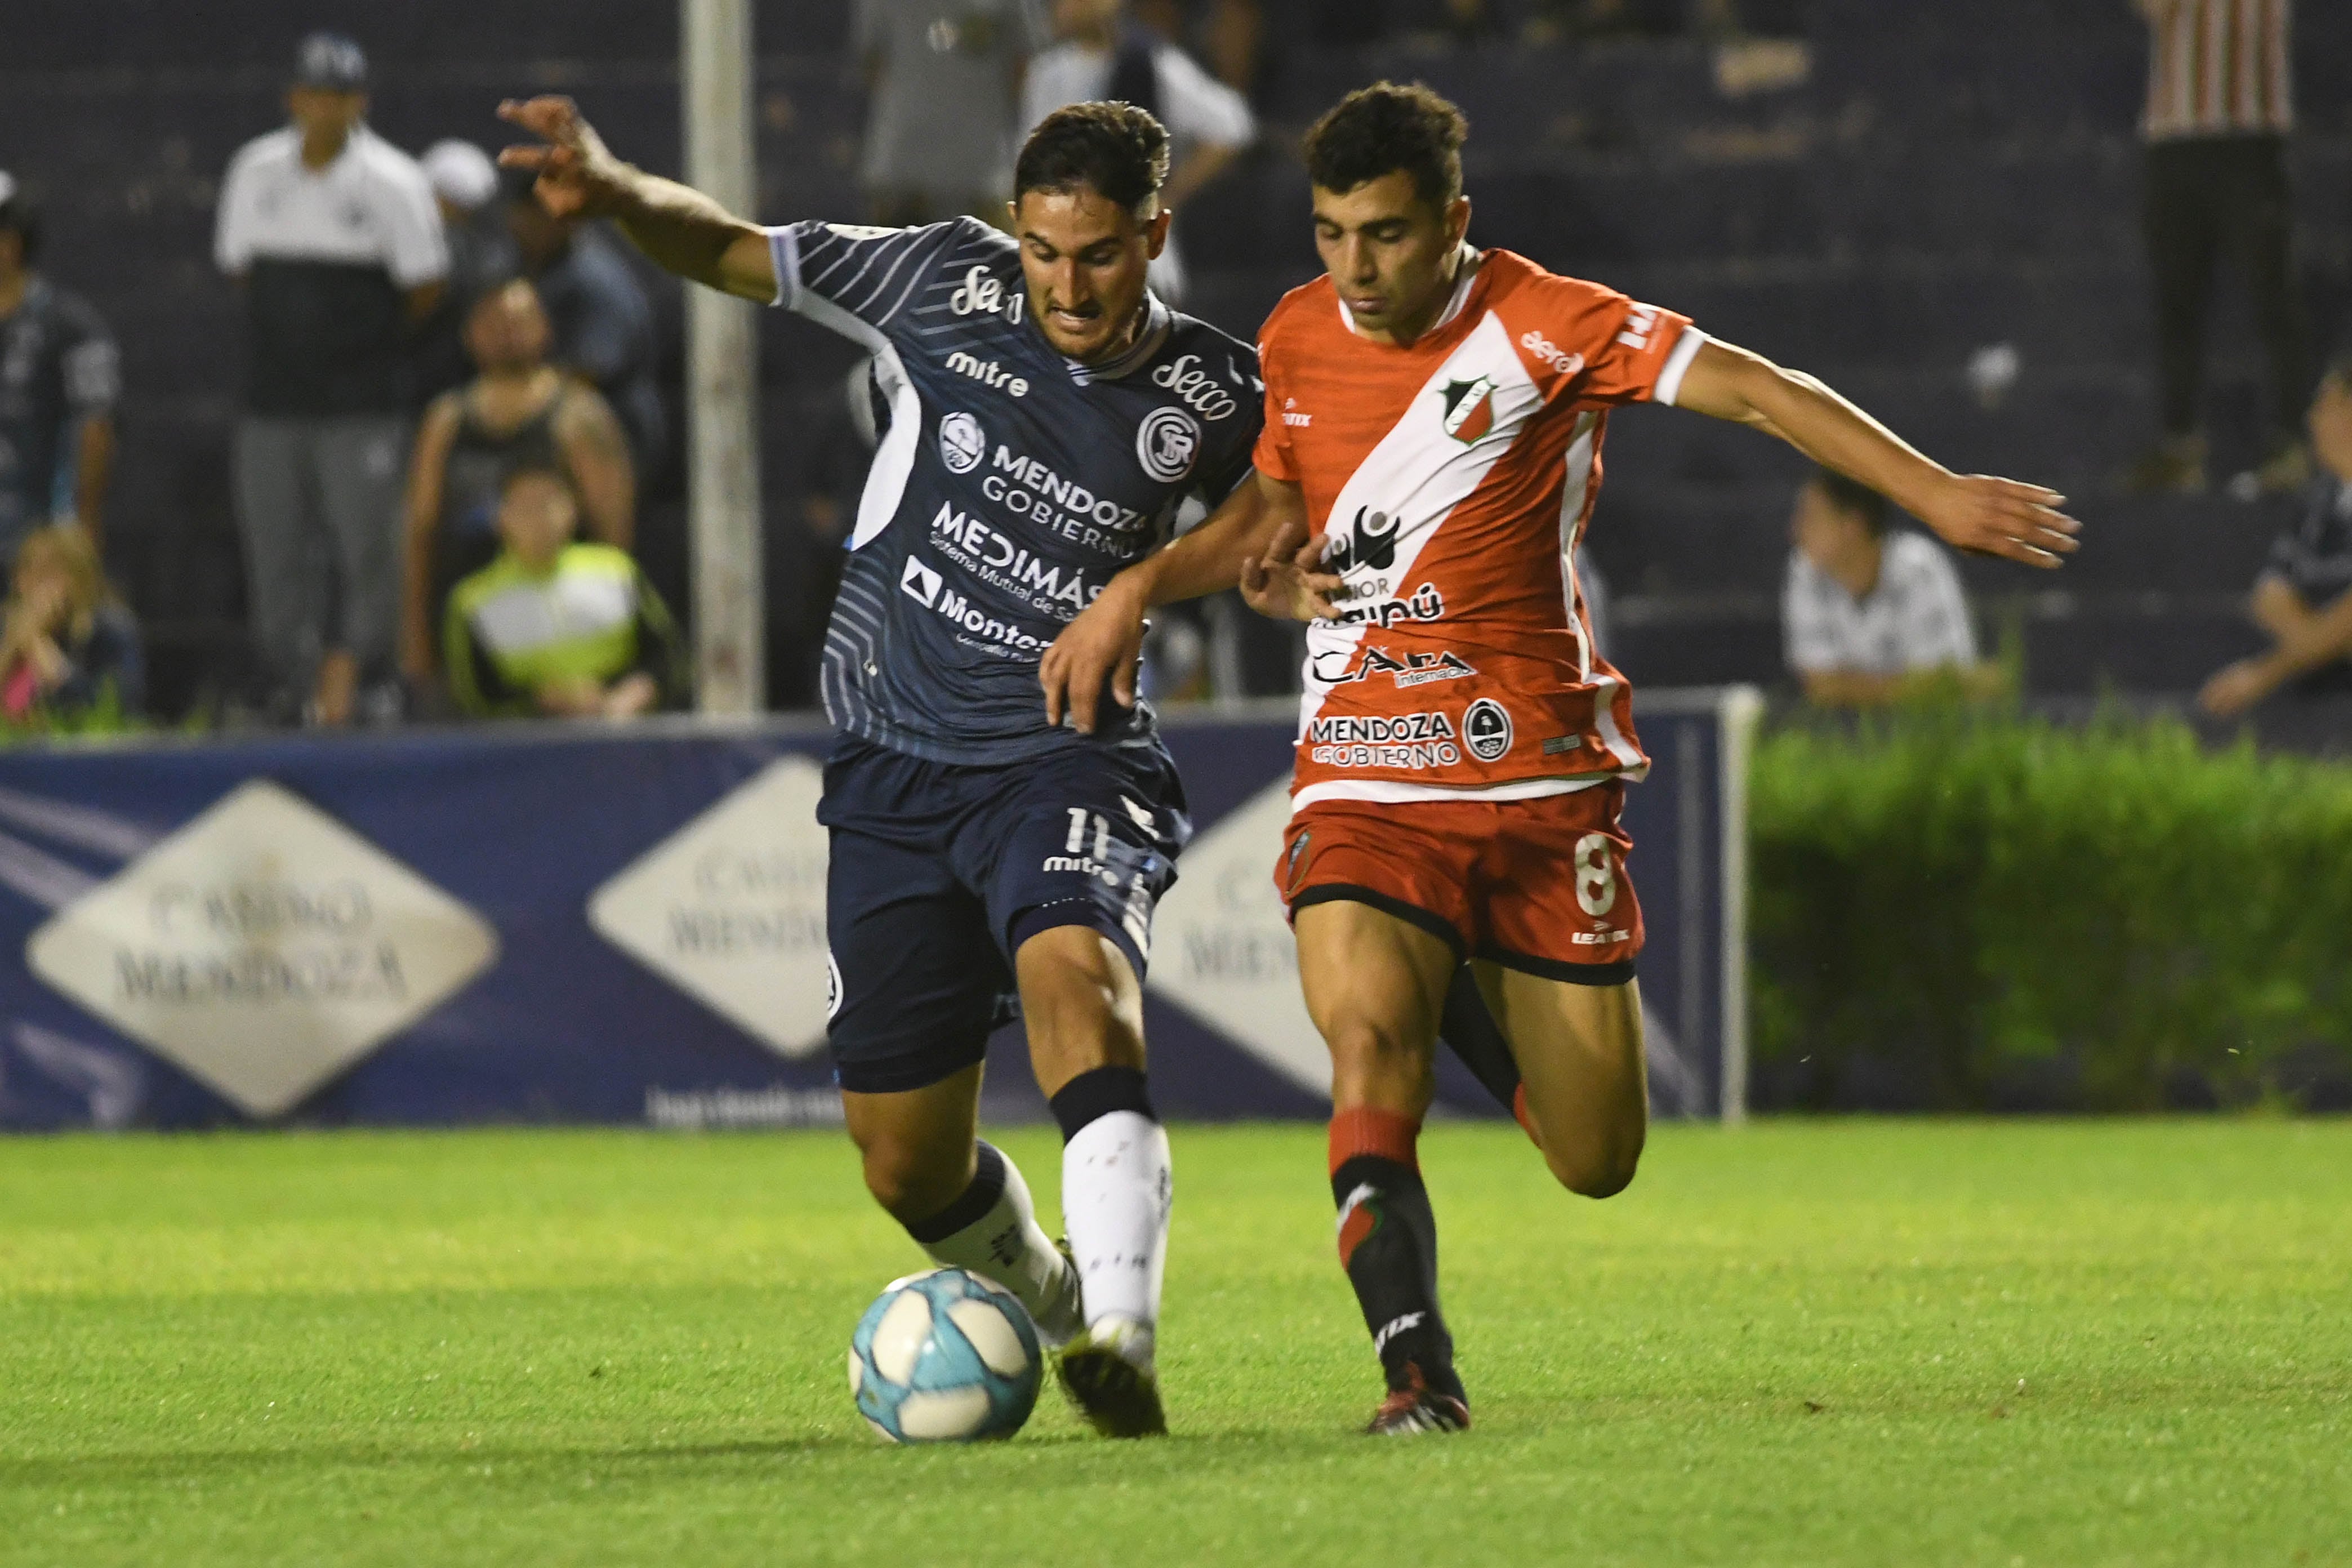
{"points": [[1455, 864]]}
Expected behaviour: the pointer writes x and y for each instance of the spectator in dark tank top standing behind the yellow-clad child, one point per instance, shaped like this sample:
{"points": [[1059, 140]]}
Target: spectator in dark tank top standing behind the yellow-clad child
{"points": [[521, 413]]}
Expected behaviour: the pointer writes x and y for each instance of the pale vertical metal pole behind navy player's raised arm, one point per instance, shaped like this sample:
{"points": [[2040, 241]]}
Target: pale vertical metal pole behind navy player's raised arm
{"points": [[723, 373]]}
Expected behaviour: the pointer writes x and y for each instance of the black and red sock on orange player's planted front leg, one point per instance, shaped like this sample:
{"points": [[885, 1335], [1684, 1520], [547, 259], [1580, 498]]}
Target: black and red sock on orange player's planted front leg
{"points": [[1389, 1245]]}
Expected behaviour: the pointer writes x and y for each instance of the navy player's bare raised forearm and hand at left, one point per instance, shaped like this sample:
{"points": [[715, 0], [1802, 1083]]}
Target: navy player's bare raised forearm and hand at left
{"points": [[679, 227]]}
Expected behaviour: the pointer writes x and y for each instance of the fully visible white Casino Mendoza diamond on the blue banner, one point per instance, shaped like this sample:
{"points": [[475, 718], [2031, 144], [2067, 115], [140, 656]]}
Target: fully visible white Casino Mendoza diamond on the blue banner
{"points": [[262, 949]]}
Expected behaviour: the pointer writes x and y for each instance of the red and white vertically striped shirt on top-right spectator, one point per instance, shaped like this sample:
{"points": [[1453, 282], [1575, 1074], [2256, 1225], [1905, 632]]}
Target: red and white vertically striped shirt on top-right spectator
{"points": [[2219, 69]]}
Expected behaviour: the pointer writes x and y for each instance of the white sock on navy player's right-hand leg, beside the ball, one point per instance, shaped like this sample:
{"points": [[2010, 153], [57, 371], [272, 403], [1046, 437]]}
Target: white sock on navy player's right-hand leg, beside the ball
{"points": [[1116, 1186]]}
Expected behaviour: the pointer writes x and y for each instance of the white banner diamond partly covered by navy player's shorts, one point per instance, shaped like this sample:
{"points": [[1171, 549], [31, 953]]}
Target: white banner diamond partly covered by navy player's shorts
{"points": [[733, 909]]}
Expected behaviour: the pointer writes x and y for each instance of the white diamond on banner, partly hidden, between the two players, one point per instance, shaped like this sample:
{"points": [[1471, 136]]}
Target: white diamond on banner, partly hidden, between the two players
{"points": [[1224, 953]]}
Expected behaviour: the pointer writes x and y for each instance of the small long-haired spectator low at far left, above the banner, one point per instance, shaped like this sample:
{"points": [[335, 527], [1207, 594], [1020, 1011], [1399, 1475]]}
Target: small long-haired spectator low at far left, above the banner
{"points": [[65, 638]]}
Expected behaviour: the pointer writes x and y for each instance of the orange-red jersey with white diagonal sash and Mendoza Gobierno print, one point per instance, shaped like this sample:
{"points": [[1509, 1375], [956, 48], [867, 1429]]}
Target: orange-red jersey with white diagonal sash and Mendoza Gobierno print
{"points": [[1452, 478]]}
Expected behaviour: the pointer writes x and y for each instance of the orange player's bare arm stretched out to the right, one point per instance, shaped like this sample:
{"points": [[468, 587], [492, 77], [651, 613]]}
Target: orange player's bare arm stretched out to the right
{"points": [[1967, 511]]}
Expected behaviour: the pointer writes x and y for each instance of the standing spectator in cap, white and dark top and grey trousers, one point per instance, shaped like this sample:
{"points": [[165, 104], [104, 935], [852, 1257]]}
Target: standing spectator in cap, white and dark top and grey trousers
{"points": [[335, 236]]}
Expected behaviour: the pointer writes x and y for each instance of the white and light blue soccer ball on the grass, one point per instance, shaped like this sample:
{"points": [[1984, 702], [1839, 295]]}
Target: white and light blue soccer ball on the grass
{"points": [[944, 1358]]}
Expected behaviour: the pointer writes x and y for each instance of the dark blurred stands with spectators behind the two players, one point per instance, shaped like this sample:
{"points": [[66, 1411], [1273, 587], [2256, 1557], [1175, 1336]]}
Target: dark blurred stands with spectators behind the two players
{"points": [[309, 417]]}
